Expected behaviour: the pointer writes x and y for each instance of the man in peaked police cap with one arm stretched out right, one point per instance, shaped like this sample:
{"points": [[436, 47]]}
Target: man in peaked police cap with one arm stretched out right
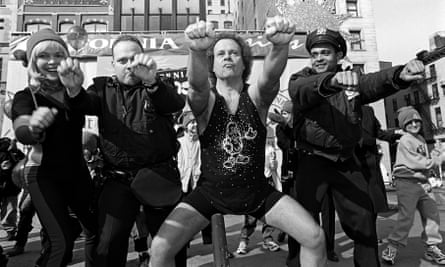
{"points": [[327, 120]]}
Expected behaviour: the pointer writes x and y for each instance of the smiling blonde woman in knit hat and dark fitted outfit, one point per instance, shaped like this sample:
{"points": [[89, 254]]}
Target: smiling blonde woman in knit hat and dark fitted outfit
{"points": [[57, 174]]}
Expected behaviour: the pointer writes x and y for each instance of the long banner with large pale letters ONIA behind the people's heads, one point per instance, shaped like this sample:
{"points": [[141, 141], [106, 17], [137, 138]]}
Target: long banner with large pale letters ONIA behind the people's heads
{"points": [[165, 43]]}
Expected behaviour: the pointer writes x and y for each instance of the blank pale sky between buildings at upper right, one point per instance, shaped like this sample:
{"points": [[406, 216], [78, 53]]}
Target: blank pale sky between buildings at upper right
{"points": [[404, 27]]}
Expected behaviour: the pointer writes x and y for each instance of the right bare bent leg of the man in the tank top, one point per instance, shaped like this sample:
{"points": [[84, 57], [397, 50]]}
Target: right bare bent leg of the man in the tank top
{"points": [[290, 217]]}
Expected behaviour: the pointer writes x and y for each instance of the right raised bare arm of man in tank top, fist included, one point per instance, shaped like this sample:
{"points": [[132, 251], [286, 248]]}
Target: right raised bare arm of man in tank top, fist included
{"points": [[279, 31]]}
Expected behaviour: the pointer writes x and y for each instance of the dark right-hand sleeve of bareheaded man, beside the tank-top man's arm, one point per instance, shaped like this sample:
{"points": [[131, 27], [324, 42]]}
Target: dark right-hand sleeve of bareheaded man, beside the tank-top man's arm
{"points": [[166, 98]]}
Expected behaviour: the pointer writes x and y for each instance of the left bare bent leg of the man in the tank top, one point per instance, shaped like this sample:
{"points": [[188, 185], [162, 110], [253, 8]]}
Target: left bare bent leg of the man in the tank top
{"points": [[178, 229]]}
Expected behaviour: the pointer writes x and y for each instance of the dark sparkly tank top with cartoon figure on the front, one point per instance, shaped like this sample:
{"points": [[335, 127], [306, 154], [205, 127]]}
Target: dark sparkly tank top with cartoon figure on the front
{"points": [[232, 156]]}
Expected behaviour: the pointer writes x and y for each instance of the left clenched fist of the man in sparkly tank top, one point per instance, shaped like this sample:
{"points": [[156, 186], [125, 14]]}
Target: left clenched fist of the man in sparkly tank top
{"points": [[201, 35]]}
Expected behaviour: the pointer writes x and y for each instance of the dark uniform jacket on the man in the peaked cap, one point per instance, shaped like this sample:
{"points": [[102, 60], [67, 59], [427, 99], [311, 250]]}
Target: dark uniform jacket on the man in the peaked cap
{"points": [[326, 122]]}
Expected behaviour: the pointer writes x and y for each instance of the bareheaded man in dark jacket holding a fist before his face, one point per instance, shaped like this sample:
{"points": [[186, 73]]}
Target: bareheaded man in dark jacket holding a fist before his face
{"points": [[136, 131]]}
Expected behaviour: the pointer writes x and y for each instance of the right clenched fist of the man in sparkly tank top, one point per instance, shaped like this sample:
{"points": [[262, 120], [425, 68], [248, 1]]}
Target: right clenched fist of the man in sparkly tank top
{"points": [[279, 30]]}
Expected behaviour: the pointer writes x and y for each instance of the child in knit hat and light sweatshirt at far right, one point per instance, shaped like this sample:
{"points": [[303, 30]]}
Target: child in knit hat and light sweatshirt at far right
{"points": [[413, 162]]}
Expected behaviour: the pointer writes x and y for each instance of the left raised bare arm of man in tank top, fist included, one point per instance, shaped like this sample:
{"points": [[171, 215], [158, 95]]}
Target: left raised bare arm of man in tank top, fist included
{"points": [[201, 36]]}
